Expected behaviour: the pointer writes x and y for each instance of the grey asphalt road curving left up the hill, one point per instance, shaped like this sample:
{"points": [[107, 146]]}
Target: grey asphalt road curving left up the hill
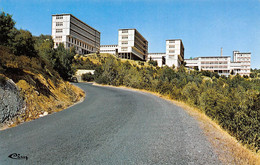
{"points": [[111, 126]]}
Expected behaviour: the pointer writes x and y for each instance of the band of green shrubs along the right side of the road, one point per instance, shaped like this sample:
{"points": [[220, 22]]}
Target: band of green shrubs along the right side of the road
{"points": [[233, 102]]}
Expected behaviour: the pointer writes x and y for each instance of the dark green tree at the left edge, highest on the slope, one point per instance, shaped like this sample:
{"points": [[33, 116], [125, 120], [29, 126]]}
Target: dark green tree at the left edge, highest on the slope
{"points": [[6, 28]]}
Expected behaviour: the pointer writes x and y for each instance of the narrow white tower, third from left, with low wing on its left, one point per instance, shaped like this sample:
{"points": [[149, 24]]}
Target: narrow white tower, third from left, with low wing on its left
{"points": [[174, 54]]}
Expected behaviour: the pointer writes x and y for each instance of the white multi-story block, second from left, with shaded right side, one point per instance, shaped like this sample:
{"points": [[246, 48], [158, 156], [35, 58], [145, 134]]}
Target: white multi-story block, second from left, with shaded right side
{"points": [[132, 45]]}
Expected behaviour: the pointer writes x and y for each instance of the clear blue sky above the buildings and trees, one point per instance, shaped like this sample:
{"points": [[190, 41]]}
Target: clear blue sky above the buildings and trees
{"points": [[203, 25]]}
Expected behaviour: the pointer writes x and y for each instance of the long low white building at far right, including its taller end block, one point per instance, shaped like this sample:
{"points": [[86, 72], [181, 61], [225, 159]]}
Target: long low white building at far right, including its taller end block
{"points": [[223, 64]]}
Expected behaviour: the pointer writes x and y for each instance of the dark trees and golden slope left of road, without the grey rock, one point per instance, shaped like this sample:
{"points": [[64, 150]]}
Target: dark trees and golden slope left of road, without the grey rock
{"points": [[37, 69]]}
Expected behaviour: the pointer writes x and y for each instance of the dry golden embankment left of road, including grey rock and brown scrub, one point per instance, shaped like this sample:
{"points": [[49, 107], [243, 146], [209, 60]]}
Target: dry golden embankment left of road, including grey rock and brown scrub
{"points": [[30, 88]]}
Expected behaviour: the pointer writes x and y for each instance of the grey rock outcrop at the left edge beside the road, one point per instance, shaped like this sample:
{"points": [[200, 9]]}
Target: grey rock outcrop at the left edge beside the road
{"points": [[11, 102]]}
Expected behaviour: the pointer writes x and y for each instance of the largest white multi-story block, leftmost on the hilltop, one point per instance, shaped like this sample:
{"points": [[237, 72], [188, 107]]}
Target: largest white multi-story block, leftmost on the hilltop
{"points": [[72, 32]]}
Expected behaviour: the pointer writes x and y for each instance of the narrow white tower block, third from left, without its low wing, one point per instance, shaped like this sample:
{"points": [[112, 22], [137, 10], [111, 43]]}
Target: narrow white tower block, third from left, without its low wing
{"points": [[174, 53]]}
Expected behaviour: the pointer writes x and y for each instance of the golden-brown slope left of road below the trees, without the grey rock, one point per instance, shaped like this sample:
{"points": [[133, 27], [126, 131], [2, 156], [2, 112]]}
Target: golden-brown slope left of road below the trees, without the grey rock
{"points": [[42, 89]]}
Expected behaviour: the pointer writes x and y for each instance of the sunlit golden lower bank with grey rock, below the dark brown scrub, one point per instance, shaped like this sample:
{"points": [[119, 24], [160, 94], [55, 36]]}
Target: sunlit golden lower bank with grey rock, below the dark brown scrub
{"points": [[21, 101]]}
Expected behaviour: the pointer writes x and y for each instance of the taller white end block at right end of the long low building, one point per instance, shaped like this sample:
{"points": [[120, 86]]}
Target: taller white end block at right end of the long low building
{"points": [[245, 60]]}
